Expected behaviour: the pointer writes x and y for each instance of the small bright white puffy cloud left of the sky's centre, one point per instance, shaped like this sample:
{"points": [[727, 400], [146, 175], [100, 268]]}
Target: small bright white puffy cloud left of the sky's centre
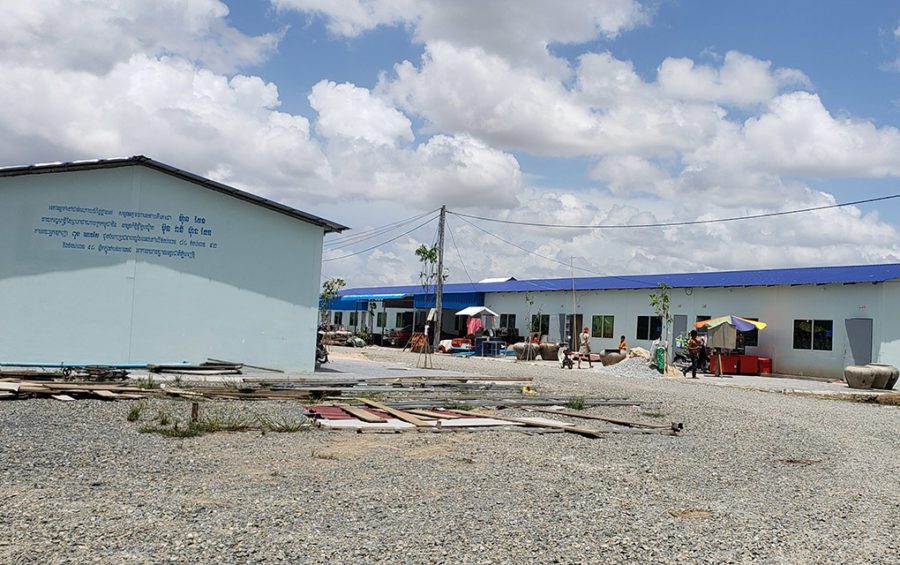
{"points": [[351, 112]]}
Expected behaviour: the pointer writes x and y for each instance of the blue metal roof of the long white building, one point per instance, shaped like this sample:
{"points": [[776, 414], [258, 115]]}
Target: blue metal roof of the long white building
{"points": [[768, 277]]}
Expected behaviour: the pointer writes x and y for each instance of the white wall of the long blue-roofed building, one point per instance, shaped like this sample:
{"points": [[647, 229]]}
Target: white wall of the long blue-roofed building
{"points": [[778, 306]]}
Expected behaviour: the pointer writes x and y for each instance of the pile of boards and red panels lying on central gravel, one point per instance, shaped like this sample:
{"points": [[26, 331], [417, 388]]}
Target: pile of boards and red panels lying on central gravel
{"points": [[371, 416]]}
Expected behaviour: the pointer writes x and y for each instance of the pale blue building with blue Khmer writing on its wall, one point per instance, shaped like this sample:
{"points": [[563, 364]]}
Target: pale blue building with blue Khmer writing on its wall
{"points": [[131, 261]]}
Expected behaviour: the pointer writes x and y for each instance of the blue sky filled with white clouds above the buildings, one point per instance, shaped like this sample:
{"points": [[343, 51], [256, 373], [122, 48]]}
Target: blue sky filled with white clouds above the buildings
{"points": [[375, 113]]}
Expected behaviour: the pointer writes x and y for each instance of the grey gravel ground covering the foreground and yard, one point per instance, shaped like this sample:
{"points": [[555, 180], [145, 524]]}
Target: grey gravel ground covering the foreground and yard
{"points": [[81, 484]]}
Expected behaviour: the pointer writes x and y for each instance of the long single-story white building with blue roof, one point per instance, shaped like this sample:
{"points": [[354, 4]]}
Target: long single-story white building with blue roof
{"points": [[819, 319]]}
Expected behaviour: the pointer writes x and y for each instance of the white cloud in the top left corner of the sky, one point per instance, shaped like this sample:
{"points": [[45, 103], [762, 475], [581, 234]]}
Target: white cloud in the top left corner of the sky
{"points": [[95, 35]]}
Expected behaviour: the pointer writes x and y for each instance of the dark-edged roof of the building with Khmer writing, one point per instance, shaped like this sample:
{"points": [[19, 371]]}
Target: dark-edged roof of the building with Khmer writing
{"points": [[176, 172]]}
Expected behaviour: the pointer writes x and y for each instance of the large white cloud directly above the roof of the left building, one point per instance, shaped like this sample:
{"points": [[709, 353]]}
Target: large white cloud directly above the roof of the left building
{"points": [[166, 108]]}
